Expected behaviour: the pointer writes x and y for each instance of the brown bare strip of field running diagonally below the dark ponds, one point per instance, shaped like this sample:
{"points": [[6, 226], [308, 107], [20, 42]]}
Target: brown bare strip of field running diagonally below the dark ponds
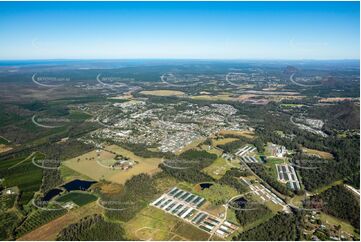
{"points": [[50, 230]]}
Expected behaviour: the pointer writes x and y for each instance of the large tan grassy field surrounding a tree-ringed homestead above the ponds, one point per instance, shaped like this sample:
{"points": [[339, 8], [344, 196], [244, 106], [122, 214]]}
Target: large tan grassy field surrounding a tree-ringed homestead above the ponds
{"points": [[87, 164]]}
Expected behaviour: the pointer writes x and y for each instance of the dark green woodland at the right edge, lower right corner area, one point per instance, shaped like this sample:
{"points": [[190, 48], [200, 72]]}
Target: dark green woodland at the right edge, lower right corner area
{"points": [[341, 203]]}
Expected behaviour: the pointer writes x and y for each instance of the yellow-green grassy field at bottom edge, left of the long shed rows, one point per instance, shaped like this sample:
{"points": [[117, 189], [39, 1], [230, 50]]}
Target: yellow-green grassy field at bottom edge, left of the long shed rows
{"points": [[154, 224]]}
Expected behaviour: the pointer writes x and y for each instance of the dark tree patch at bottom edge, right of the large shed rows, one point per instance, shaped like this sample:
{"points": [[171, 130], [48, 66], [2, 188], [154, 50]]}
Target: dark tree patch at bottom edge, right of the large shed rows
{"points": [[280, 227]]}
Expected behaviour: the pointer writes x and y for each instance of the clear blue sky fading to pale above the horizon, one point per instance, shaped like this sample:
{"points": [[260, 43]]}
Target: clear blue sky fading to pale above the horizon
{"points": [[201, 30]]}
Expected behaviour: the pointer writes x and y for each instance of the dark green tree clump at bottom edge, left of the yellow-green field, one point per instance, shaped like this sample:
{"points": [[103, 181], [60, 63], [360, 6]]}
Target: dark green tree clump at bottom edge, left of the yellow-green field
{"points": [[92, 228]]}
